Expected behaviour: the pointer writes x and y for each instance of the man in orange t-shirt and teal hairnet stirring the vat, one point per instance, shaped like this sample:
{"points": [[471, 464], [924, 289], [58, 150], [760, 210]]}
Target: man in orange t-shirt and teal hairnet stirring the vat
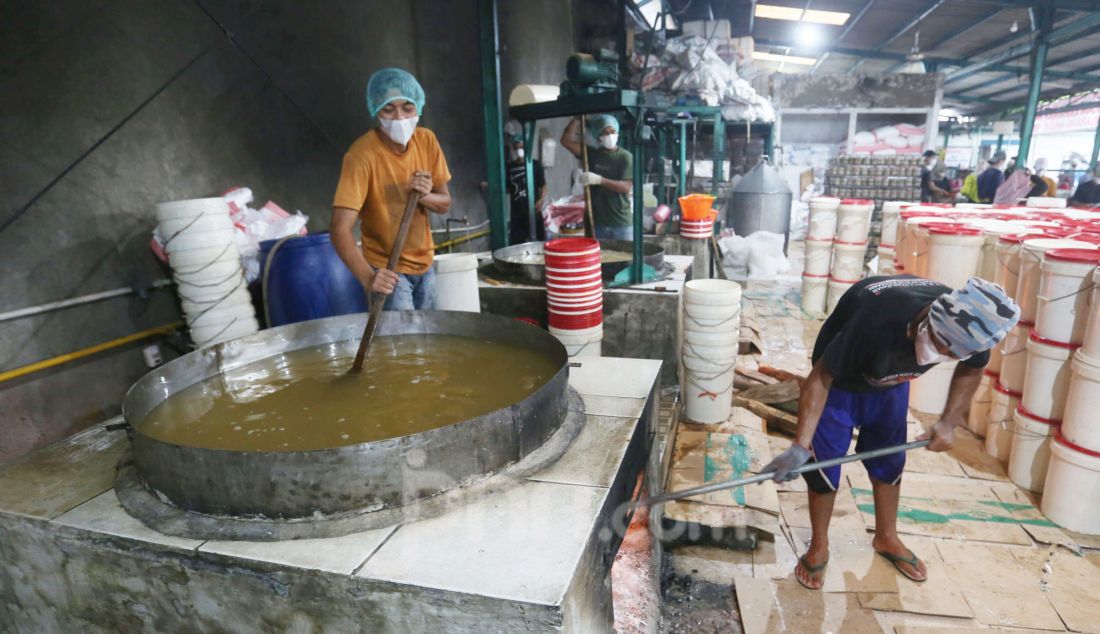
{"points": [[380, 172]]}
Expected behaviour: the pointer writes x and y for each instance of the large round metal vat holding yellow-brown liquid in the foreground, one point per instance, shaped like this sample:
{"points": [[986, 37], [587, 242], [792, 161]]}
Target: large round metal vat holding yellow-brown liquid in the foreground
{"points": [[376, 476]]}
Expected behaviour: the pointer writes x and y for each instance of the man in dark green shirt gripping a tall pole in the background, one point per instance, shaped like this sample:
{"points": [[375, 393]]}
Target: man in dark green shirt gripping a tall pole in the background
{"points": [[610, 177]]}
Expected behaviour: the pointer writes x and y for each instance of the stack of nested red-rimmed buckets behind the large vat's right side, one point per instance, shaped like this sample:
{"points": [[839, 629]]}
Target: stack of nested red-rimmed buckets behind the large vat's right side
{"points": [[576, 294]]}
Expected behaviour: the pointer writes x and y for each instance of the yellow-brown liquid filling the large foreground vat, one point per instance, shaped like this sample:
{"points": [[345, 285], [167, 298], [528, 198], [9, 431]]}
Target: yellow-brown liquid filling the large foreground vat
{"points": [[305, 399]]}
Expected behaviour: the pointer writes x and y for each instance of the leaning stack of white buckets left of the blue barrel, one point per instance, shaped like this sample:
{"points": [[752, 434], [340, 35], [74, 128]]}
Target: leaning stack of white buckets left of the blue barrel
{"points": [[206, 265]]}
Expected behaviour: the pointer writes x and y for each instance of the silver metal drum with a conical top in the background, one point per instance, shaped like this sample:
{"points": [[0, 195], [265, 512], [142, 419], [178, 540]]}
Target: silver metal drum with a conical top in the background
{"points": [[762, 202]]}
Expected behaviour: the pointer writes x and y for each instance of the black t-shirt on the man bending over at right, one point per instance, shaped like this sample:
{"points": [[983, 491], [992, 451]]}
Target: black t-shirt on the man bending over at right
{"points": [[865, 342]]}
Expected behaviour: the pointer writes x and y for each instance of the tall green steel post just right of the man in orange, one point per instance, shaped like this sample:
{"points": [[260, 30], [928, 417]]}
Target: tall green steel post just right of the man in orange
{"points": [[492, 114]]}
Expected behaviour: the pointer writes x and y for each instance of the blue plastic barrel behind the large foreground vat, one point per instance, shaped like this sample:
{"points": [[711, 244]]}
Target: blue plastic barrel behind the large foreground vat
{"points": [[307, 281]]}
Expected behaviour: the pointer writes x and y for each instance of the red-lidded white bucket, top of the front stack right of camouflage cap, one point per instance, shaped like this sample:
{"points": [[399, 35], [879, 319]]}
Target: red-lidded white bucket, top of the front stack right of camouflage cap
{"points": [[1065, 292]]}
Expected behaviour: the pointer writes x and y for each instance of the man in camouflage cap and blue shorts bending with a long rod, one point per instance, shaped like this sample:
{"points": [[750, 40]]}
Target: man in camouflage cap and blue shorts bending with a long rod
{"points": [[886, 332]]}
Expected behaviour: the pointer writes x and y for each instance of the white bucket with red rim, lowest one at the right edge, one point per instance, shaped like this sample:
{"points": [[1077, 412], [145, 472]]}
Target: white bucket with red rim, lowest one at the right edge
{"points": [[1073, 488]]}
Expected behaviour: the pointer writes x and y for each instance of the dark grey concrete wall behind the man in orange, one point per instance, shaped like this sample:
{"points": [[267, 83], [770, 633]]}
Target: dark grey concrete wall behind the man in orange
{"points": [[112, 106]]}
